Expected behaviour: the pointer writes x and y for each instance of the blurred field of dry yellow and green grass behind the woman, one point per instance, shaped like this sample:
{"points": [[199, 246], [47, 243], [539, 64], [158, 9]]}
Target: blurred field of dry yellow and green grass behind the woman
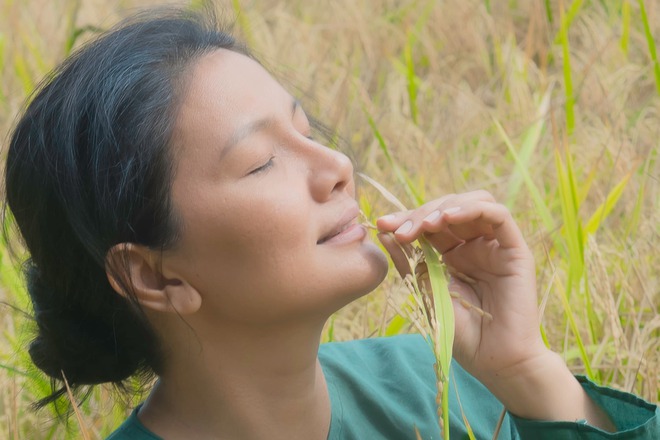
{"points": [[553, 106]]}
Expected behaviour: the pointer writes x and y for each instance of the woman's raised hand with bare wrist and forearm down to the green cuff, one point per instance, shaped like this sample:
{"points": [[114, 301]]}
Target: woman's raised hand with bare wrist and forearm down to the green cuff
{"points": [[494, 270]]}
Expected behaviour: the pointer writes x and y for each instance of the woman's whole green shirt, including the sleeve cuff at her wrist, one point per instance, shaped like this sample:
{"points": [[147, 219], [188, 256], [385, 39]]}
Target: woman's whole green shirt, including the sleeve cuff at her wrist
{"points": [[384, 388]]}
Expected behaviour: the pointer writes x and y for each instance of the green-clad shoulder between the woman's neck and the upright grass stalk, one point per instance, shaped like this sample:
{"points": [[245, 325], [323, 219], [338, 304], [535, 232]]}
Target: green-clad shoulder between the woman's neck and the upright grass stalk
{"points": [[380, 387]]}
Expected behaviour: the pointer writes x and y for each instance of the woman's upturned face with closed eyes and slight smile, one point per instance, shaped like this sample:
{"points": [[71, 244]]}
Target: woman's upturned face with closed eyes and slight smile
{"points": [[270, 222]]}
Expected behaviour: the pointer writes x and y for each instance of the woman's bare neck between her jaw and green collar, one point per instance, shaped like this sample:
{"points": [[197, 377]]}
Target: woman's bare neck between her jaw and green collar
{"points": [[242, 382]]}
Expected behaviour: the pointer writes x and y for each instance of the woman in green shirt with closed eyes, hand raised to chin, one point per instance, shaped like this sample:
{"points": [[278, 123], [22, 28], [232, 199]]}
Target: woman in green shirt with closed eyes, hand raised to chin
{"points": [[182, 222]]}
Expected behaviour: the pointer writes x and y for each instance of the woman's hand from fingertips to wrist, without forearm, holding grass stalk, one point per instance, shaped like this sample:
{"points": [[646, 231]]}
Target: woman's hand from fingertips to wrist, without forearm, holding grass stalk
{"points": [[479, 240]]}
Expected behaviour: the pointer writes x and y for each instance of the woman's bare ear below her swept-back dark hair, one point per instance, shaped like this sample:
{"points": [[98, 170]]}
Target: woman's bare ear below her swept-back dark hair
{"points": [[135, 270]]}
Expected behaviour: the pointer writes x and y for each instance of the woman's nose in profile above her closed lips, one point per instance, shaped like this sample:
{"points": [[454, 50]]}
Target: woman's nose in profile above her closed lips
{"points": [[330, 173]]}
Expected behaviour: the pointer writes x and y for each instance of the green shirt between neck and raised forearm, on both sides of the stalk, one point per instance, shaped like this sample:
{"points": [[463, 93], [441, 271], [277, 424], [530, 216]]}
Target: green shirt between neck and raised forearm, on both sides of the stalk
{"points": [[386, 388]]}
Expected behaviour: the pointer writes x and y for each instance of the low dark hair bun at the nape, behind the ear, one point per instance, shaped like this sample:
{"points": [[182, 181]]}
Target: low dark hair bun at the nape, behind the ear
{"points": [[90, 348]]}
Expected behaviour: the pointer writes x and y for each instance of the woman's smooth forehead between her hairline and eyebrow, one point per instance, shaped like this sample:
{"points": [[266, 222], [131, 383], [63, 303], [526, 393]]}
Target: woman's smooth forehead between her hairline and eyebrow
{"points": [[226, 90]]}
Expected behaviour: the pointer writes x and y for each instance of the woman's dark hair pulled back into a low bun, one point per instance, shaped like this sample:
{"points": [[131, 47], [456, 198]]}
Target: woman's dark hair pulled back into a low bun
{"points": [[90, 166]]}
